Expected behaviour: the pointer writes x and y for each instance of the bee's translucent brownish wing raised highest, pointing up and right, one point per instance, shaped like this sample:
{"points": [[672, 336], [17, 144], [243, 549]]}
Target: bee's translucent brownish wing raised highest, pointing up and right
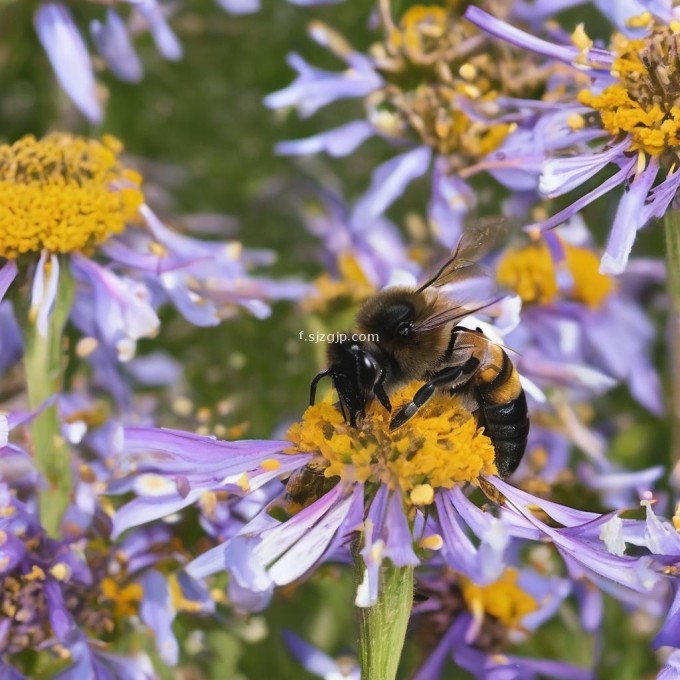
{"points": [[462, 263]]}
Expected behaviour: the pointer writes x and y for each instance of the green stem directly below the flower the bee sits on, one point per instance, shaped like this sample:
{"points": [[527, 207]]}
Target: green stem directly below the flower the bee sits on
{"points": [[382, 628]]}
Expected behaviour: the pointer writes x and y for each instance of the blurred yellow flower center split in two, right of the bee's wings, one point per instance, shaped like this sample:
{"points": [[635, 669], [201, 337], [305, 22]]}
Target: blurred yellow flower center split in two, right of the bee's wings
{"points": [[530, 272]]}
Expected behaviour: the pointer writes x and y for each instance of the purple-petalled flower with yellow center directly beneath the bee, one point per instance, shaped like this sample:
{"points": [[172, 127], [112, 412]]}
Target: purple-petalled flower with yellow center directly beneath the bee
{"points": [[349, 487]]}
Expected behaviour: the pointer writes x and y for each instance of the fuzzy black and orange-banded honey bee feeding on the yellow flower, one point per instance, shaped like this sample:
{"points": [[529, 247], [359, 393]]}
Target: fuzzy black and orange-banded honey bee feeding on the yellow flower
{"points": [[420, 339]]}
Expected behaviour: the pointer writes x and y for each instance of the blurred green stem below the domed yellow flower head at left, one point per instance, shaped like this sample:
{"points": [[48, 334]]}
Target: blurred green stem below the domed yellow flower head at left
{"points": [[44, 362]]}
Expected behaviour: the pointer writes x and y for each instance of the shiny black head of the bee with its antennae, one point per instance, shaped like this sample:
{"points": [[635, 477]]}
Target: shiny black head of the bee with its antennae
{"points": [[357, 374]]}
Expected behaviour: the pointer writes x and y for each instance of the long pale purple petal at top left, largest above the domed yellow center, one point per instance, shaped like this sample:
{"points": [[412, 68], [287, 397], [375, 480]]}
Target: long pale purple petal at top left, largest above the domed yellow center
{"points": [[69, 57]]}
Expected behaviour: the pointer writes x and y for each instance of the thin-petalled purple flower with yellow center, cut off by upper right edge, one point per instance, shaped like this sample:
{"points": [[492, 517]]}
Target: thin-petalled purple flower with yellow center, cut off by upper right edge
{"points": [[624, 108]]}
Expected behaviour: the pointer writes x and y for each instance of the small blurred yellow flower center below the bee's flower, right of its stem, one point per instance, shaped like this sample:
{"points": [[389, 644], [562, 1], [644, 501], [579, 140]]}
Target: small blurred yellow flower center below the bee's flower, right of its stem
{"points": [[503, 599]]}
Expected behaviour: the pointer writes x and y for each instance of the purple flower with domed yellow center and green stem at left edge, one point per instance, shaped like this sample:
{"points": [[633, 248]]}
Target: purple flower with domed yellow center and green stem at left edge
{"points": [[66, 199]]}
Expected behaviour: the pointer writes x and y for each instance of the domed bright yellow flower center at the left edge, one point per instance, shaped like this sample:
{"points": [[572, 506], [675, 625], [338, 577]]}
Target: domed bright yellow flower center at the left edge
{"points": [[63, 193]]}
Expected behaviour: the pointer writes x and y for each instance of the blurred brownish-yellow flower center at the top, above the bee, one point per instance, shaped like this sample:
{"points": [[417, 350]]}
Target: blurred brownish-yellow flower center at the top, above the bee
{"points": [[439, 69]]}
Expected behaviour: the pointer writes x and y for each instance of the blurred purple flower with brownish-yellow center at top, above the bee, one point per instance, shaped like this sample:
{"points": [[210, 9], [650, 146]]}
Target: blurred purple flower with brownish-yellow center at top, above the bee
{"points": [[441, 121]]}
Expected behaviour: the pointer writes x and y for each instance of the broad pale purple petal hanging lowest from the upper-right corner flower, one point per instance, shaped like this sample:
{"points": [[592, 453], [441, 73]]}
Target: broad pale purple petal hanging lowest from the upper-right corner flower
{"points": [[627, 221]]}
